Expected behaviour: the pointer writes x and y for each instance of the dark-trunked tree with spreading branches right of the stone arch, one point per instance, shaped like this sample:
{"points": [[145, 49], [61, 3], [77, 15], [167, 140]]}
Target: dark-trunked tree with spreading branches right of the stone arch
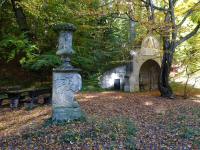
{"points": [[171, 38]]}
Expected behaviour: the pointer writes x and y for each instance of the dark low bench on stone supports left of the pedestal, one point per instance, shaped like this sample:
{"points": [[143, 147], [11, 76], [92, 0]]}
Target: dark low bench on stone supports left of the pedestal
{"points": [[16, 95]]}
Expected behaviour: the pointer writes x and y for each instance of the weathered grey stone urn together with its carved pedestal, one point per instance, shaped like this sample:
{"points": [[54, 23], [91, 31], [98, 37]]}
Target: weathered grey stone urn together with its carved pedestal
{"points": [[66, 79]]}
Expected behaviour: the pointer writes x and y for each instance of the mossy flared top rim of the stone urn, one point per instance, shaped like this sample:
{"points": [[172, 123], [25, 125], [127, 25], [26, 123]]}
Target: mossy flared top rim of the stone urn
{"points": [[64, 27]]}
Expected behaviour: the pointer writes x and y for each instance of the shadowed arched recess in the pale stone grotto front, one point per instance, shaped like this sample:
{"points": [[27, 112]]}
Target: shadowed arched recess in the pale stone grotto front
{"points": [[149, 76]]}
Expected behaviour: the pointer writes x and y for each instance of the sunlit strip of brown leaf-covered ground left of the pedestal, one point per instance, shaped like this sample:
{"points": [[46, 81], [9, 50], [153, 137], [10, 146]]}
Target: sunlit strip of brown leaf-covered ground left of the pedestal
{"points": [[20, 120]]}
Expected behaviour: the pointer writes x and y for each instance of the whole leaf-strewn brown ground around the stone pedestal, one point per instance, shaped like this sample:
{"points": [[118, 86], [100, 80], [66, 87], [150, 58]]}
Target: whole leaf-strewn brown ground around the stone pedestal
{"points": [[115, 120]]}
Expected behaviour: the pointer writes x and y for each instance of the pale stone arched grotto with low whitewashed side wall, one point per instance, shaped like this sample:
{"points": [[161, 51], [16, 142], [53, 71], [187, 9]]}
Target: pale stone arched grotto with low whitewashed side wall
{"points": [[141, 74]]}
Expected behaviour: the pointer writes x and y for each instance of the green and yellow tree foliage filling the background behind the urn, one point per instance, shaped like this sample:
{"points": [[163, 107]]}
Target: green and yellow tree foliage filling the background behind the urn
{"points": [[101, 41]]}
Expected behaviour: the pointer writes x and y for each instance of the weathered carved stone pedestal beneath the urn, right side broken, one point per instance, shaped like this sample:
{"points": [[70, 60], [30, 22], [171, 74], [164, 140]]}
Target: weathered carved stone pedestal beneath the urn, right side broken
{"points": [[65, 84]]}
